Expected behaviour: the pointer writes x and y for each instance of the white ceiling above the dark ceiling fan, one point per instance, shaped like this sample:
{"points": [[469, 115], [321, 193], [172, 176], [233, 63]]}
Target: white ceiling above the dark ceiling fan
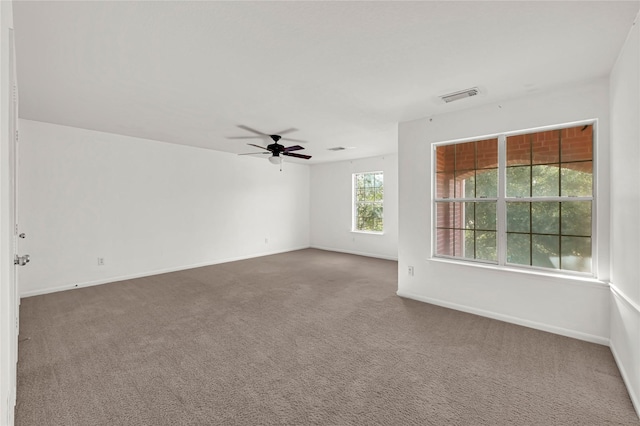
{"points": [[342, 73]]}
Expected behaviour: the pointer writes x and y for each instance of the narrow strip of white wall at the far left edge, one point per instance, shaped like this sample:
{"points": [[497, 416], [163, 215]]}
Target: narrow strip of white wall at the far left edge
{"points": [[8, 305]]}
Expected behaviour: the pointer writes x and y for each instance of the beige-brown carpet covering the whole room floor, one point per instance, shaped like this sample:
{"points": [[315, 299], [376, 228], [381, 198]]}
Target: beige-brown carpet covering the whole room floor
{"points": [[308, 337]]}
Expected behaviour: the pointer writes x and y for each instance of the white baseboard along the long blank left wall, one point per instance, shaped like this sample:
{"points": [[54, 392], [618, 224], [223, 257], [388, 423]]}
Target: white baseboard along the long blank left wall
{"points": [[154, 272]]}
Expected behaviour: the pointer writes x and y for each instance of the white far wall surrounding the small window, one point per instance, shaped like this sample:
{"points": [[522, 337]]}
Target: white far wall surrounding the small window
{"points": [[331, 207]]}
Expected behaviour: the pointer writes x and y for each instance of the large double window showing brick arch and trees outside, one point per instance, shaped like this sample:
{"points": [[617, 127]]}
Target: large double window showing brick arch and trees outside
{"points": [[518, 199]]}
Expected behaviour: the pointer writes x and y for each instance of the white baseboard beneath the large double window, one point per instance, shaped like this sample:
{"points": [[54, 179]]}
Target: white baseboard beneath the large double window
{"points": [[508, 318]]}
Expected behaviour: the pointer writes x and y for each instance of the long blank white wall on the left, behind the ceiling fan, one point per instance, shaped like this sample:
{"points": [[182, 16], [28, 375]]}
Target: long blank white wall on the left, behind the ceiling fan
{"points": [[146, 207]]}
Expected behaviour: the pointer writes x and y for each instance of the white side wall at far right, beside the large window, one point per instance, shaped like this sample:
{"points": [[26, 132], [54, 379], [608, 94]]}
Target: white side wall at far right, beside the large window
{"points": [[625, 213]]}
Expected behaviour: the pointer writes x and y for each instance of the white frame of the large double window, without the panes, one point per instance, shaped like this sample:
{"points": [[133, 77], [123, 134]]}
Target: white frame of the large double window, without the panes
{"points": [[501, 210]]}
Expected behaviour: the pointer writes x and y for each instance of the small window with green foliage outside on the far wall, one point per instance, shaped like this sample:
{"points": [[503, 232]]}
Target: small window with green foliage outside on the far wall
{"points": [[368, 196]]}
